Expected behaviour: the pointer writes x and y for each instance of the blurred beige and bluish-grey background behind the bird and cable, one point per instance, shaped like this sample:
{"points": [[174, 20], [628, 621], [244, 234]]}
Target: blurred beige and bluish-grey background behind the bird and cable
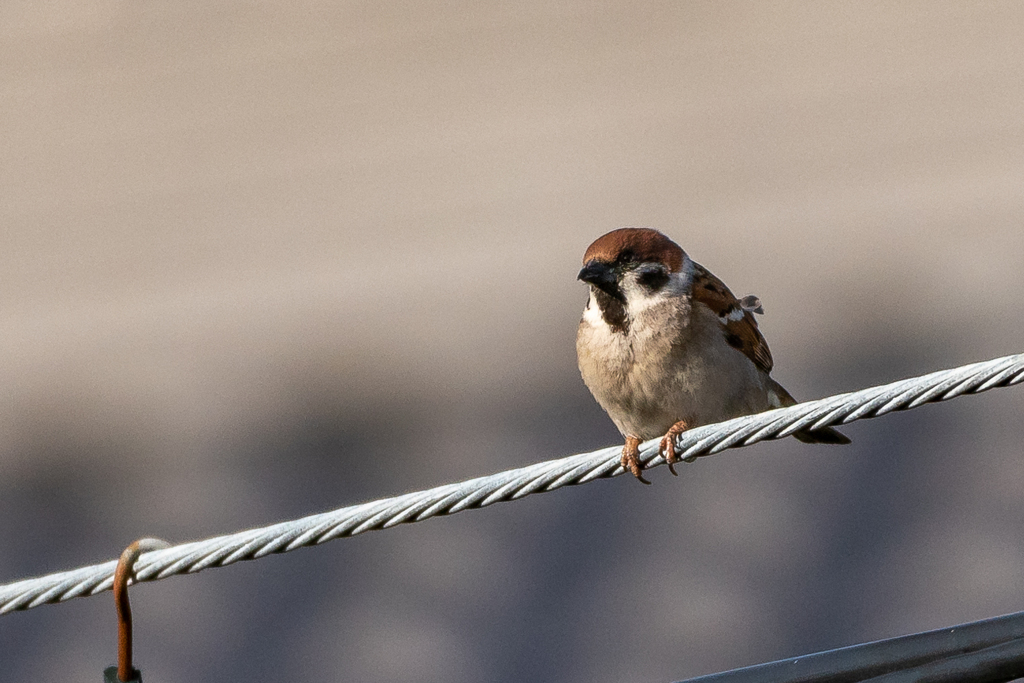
{"points": [[265, 261]]}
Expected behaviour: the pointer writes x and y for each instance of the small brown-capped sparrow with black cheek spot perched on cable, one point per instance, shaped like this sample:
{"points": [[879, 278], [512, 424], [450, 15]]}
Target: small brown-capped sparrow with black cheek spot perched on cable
{"points": [[664, 346]]}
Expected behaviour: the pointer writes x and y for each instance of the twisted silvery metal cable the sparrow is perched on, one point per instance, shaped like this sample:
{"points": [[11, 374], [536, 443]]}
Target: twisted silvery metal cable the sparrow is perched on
{"points": [[514, 485]]}
